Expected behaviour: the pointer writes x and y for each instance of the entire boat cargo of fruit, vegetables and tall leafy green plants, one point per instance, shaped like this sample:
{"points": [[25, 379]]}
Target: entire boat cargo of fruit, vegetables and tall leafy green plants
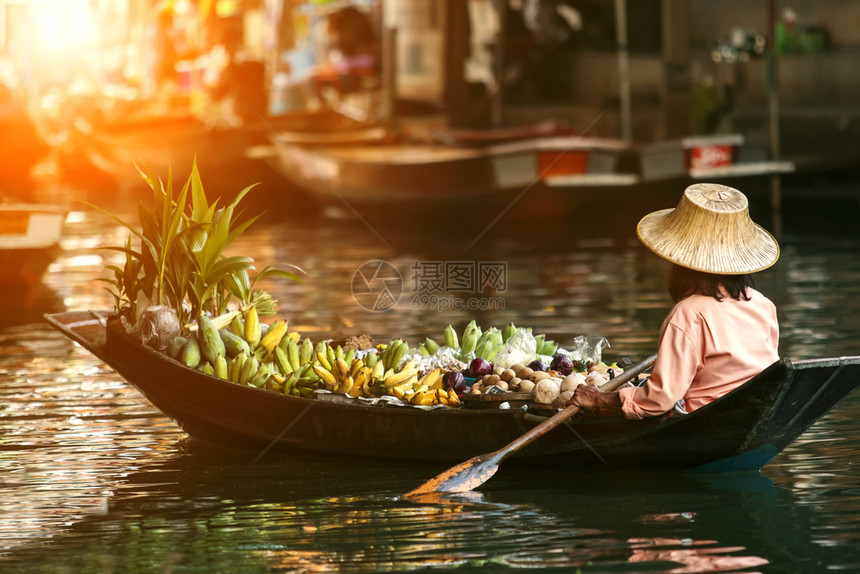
{"points": [[177, 282]]}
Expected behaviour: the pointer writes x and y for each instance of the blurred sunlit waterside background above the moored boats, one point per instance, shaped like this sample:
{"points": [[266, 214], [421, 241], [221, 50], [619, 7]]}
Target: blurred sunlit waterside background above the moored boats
{"points": [[89, 86]]}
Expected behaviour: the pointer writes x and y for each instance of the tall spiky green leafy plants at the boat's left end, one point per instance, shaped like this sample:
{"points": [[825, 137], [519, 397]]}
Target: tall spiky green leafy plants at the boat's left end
{"points": [[177, 256]]}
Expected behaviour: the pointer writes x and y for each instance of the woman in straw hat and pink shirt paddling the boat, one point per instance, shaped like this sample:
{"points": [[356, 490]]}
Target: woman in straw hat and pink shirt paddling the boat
{"points": [[721, 331]]}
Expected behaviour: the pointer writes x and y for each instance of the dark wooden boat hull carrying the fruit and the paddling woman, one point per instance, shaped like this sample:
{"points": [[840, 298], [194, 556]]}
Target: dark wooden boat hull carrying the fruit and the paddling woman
{"points": [[741, 431]]}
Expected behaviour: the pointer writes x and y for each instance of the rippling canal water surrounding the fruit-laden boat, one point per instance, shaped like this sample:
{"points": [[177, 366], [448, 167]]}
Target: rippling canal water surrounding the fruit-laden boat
{"points": [[95, 479]]}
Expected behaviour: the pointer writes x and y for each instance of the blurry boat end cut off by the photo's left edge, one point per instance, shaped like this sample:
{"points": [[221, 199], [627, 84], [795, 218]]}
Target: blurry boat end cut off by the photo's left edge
{"points": [[29, 240]]}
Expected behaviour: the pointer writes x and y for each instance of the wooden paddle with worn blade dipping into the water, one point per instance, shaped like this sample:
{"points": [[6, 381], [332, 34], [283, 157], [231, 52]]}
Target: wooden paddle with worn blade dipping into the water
{"points": [[477, 470]]}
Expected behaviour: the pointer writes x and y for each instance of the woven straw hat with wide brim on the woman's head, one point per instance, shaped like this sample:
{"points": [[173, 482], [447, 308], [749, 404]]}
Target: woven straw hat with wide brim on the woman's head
{"points": [[710, 231]]}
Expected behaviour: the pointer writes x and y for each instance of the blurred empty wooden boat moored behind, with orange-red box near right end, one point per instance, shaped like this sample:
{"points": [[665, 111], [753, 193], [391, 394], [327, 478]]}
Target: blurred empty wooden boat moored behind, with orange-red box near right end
{"points": [[385, 180]]}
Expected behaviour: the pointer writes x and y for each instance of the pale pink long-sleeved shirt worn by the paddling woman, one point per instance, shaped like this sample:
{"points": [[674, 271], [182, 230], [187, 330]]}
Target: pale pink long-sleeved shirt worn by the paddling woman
{"points": [[707, 348]]}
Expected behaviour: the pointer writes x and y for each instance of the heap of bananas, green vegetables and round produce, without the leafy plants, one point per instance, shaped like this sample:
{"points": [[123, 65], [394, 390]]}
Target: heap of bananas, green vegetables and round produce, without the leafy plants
{"points": [[271, 357]]}
